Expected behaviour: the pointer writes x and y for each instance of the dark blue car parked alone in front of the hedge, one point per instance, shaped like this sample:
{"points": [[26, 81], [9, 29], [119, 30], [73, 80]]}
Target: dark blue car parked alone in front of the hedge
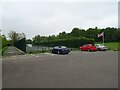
{"points": [[60, 50]]}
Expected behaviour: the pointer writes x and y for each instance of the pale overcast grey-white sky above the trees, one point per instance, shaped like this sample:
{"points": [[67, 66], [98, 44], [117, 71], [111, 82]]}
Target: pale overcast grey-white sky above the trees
{"points": [[50, 18]]}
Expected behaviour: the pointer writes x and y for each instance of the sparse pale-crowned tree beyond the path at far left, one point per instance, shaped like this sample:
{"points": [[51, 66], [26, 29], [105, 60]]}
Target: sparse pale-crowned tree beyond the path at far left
{"points": [[14, 36]]}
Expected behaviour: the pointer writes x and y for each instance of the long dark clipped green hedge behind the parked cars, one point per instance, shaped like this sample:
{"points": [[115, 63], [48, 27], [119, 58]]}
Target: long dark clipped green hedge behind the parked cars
{"points": [[74, 43]]}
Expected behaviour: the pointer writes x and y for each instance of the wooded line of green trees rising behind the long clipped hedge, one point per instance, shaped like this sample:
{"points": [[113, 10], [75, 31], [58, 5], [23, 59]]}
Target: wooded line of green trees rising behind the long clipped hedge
{"points": [[111, 35]]}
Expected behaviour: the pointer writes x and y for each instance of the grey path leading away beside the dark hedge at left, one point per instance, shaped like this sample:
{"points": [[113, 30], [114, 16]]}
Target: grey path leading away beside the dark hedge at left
{"points": [[13, 51]]}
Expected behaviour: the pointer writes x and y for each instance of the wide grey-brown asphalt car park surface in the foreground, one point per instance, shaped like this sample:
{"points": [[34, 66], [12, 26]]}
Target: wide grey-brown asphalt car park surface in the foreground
{"points": [[78, 69]]}
